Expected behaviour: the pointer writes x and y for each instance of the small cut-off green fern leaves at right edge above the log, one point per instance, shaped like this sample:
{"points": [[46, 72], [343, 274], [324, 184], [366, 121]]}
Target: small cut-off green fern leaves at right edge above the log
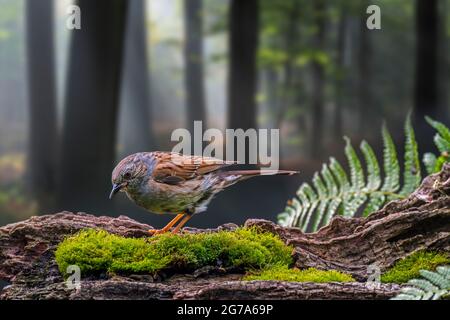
{"points": [[432, 162]]}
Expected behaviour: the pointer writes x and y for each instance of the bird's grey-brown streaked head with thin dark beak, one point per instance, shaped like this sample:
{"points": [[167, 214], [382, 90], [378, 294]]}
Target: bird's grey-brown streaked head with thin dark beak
{"points": [[128, 173]]}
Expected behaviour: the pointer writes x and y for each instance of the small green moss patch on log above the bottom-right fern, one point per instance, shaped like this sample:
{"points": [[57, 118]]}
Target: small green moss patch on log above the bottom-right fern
{"points": [[408, 268]]}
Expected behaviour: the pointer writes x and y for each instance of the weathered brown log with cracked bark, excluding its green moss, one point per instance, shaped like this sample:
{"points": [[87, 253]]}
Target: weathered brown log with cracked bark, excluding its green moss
{"points": [[419, 222]]}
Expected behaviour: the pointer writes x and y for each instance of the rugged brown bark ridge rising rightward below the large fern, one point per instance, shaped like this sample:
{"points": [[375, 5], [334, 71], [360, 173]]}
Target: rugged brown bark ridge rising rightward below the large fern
{"points": [[422, 221]]}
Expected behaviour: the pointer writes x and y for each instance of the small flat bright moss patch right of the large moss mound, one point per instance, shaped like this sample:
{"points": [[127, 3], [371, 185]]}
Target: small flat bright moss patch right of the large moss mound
{"points": [[283, 273]]}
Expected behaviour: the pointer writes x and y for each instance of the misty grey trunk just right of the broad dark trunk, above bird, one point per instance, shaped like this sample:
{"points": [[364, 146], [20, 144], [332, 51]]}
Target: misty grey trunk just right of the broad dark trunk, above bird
{"points": [[135, 104]]}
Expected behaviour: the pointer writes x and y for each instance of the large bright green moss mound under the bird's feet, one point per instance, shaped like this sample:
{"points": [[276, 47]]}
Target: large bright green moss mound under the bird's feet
{"points": [[96, 251]]}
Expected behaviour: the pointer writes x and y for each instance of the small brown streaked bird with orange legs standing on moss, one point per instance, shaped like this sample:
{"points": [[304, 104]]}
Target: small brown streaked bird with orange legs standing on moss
{"points": [[168, 182]]}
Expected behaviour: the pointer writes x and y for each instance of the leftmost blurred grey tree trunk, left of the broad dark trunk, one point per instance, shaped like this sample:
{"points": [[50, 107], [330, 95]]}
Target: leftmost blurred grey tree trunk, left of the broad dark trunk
{"points": [[42, 102]]}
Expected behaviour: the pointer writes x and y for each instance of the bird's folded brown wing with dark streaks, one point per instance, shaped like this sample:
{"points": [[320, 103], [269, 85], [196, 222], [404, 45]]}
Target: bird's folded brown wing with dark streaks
{"points": [[173, 168]]}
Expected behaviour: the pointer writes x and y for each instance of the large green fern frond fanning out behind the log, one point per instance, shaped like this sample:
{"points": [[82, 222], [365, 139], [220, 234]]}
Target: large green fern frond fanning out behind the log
{"points": [[334, 192]]}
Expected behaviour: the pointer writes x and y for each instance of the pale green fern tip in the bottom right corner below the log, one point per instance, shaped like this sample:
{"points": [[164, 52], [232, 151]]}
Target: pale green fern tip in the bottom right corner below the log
{"points": [[432, 286]]}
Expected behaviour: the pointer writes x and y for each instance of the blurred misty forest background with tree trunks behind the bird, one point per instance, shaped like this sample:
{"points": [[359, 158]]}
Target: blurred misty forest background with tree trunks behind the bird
{"points": [[73, 103]]}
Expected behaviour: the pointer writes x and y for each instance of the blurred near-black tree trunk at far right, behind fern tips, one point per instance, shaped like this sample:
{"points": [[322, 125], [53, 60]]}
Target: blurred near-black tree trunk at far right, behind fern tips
{"points": [[426, 77]]}
